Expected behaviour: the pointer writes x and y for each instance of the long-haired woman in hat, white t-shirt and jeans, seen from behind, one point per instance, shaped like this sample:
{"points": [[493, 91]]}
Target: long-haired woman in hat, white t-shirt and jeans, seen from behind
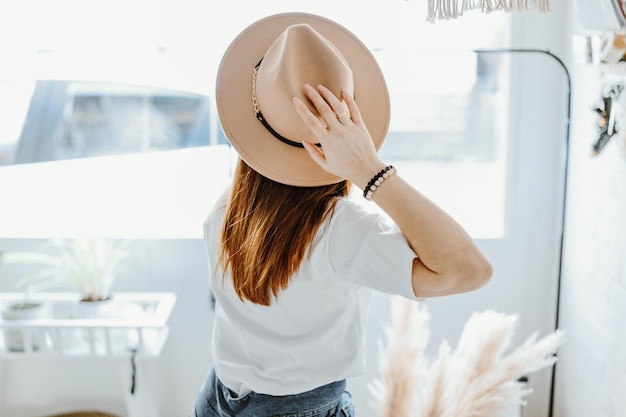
{"points": [[293, 260]]}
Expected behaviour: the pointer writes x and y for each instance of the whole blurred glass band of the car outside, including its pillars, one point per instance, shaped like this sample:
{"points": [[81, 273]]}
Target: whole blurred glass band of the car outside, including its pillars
{"points": [[78, 120]]}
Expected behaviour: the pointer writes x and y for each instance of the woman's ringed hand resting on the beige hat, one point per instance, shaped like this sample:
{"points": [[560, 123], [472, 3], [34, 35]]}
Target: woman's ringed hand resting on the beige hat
{"points": [[347, 149]]}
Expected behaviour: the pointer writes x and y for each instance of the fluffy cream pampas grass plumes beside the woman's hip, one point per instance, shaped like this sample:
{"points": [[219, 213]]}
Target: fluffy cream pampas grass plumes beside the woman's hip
{"points": [[477, 379]]}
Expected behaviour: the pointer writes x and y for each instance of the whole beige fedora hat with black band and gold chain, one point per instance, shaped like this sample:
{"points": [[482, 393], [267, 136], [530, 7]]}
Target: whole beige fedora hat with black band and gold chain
{"points": [[267, 65]]}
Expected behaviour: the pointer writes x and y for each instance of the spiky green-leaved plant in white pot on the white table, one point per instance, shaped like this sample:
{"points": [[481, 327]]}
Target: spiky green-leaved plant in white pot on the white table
{"points": [[88, 266]]}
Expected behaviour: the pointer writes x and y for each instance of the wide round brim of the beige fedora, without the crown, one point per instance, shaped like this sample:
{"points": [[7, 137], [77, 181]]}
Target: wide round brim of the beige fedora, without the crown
{"points": [[253, 142]]}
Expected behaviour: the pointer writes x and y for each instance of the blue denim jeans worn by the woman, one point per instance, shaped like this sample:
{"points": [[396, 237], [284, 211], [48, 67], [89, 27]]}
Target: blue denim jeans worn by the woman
{"points": [[215, 400]]}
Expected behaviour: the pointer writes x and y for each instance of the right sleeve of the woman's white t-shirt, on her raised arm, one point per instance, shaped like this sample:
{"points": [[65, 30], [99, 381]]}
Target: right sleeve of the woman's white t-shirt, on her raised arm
{"points": [[368, 250]]}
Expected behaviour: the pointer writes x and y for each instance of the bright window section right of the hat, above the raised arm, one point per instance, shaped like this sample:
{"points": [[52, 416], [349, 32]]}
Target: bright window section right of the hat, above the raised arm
{"points": [[448, 131]]}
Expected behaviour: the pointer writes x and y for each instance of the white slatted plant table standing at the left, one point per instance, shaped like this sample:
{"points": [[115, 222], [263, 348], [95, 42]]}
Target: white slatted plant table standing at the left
{"points": [[136, 325]]}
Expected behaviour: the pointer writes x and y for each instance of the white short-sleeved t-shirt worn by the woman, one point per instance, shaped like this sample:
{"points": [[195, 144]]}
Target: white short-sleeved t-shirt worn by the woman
{"points": [[314, 332]]}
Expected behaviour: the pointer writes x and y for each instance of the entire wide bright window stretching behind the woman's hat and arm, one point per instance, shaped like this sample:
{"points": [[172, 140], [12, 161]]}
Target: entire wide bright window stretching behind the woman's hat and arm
{"points": [[108, 122]]}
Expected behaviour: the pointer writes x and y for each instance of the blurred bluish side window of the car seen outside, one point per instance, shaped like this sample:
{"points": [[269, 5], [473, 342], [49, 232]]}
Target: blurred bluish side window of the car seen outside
{"points": [[103, 119]]}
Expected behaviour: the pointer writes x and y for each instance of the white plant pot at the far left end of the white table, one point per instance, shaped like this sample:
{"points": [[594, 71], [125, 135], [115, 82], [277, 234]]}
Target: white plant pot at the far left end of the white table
{"points": [[18, 339]]}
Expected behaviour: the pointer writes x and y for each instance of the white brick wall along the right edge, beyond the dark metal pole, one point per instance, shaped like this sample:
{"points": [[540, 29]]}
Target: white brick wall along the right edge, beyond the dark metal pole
{"points": [[591, 372]]}
